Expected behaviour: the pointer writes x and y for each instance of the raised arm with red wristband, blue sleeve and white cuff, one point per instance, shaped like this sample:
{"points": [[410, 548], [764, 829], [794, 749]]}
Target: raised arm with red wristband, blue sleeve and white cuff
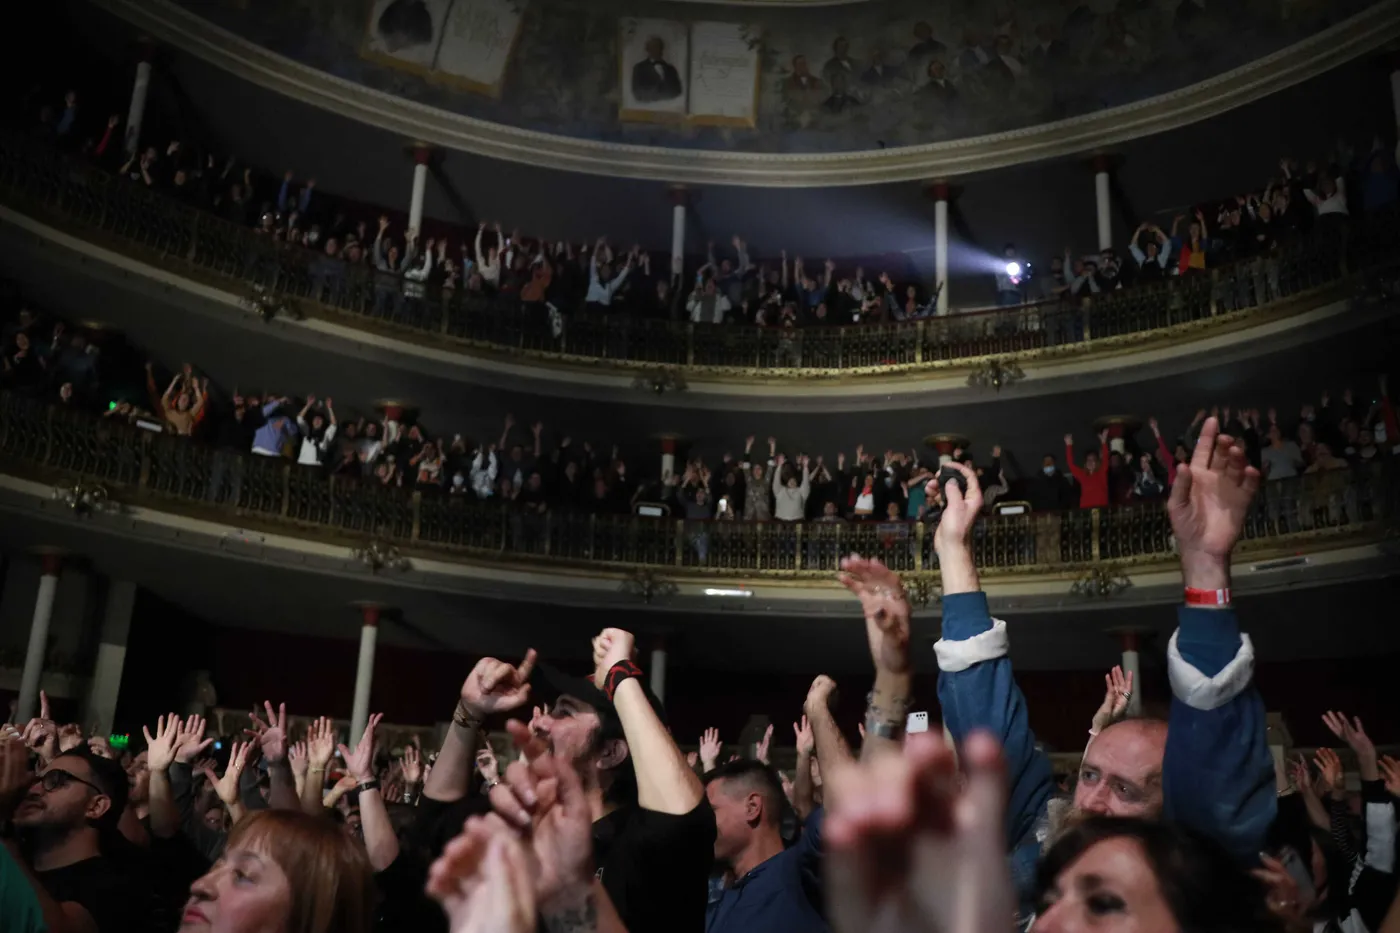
{"points": [[1219, 774]]}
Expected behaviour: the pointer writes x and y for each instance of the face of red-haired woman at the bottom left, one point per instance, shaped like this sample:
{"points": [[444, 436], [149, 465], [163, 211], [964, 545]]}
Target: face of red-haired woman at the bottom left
{"points": [[244, 893]]}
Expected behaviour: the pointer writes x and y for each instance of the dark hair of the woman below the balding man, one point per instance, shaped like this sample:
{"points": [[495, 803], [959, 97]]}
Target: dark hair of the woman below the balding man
{"points": [[1205, 887]]}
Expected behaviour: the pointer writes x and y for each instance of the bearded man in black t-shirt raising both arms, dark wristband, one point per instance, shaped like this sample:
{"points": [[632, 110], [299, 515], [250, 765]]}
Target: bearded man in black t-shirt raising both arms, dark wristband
{"points": [[653, 827]]}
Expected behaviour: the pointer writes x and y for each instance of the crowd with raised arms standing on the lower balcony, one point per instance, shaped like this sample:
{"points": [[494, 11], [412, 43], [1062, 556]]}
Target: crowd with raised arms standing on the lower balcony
{"points": [[542, 471]]}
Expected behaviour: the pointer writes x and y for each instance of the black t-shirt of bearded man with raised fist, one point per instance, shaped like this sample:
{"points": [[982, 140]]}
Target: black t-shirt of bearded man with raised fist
{"points": [[656, 866]]}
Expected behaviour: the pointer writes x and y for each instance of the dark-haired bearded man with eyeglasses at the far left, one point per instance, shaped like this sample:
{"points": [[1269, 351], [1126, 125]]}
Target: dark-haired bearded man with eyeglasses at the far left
{"points": [[64, 822]]}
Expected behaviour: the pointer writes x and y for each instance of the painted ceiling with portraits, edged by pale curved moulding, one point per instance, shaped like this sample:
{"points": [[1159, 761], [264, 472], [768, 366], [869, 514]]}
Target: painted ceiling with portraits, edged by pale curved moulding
{"points": [[772, 95]]}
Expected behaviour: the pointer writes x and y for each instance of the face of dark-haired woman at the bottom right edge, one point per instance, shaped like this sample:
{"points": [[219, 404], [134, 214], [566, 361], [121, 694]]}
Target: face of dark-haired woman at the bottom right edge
{"points": [[1111, 889]]}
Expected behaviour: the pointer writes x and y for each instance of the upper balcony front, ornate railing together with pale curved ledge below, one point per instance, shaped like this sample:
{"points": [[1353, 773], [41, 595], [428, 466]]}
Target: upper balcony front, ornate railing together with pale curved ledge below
{"points": [[1119, 336]]}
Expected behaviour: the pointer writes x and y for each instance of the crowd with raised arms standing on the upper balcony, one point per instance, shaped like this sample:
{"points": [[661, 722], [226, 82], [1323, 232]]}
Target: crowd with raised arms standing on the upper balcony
{"points": [[561, 278]]}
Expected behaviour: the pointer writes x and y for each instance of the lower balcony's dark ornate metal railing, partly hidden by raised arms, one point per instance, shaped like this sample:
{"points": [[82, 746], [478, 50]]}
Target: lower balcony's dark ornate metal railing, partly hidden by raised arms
{"points": [[171, 473]]}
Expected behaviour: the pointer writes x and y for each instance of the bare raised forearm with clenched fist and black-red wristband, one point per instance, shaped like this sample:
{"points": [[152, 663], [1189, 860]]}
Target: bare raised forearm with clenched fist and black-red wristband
{"points": [[666, 782]]}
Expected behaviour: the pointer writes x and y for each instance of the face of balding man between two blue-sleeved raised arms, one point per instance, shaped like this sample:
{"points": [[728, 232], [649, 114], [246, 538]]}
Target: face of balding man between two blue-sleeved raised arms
{"points": [[1122, 771]]}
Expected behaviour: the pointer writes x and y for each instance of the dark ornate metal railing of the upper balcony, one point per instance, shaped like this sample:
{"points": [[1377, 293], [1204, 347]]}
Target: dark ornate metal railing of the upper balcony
{"points": [[148, 226]]}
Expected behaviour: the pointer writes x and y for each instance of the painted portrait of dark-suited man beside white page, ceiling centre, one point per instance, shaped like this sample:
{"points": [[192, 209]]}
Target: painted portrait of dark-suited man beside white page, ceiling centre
{"points": [[654, 69]]}
